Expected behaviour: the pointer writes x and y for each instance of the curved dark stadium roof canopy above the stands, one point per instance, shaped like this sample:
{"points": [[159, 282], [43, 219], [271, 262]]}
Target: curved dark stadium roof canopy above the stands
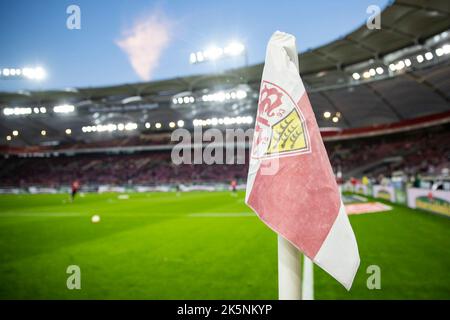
{"points": [[406, 28]]}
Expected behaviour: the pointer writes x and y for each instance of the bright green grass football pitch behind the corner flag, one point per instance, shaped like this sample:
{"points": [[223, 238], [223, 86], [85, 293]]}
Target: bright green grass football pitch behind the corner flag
{"points": [[197, 246]]}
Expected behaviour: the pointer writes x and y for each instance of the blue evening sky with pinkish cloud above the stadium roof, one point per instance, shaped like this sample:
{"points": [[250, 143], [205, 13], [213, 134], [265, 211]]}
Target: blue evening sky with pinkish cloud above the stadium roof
{"points": [[141, 40]]}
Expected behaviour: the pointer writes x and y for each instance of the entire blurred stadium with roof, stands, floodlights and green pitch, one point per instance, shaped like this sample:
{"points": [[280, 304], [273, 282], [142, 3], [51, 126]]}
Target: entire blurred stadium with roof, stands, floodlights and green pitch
{"points": [[143, 227]]}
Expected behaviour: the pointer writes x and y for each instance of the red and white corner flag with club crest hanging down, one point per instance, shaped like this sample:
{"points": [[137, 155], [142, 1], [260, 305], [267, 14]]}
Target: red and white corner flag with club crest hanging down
{"points": [[291, 185]]}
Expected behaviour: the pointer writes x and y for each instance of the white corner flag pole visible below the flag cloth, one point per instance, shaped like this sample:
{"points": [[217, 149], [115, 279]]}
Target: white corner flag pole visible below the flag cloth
{"points": [[289, 273]]}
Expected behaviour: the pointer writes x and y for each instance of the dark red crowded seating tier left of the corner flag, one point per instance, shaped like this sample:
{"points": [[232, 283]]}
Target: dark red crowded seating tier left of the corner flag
{"points": [[149, 168]]}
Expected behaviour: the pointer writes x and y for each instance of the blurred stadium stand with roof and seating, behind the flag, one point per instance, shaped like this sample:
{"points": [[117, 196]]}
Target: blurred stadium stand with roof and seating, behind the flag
{"points": [[381, 100]]}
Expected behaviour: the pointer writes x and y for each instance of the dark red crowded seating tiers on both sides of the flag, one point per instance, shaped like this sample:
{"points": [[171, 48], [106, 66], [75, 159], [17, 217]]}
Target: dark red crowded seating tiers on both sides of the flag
{"points": [[422, 151]]}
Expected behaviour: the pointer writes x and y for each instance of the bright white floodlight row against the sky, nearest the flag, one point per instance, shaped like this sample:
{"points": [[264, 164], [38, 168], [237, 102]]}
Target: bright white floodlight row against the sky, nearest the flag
{"points": [[214, 53]]}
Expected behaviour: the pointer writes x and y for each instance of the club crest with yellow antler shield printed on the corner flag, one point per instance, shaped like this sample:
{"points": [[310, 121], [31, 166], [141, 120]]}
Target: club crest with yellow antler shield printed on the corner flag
{"points": [[280, 126]]}
